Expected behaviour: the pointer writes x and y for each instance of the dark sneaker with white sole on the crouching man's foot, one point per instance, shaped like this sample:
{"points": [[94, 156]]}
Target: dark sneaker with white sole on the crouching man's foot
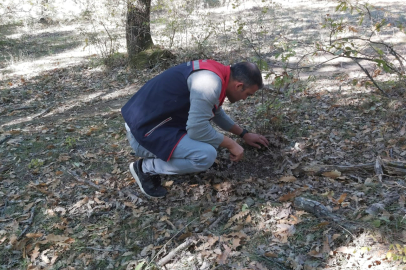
{"points": [[149, 184]]}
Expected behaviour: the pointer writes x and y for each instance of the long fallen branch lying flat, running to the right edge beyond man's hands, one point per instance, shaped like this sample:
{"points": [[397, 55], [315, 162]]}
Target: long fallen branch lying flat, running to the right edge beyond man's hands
{"points": [[379, 166]]}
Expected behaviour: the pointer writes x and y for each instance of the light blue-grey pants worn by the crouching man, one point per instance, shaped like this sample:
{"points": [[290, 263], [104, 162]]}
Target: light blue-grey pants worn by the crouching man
{"points": [[190, 156]]}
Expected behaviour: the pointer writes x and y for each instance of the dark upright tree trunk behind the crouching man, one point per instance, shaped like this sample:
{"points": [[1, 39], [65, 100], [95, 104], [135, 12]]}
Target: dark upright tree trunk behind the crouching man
{"points": [[138, 33]]}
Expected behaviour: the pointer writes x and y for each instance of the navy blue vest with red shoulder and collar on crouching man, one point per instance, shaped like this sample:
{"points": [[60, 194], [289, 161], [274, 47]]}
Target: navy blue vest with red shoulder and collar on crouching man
{"points": [[158, 112]]}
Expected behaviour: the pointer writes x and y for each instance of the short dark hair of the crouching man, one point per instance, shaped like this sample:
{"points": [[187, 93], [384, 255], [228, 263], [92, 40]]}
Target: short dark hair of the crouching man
{"points": [[247, 73]]}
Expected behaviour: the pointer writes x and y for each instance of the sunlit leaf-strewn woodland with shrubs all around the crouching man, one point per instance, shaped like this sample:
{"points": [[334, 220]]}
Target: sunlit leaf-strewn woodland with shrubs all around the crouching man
{"points": [[329, 192]]}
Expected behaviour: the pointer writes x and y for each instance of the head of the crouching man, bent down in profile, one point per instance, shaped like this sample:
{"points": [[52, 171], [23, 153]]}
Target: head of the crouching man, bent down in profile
{"points": [[245, 80]]}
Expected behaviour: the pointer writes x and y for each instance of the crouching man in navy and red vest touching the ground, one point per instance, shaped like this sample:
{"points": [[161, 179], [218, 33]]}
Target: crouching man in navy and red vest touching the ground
{"points": [[168, 120]]}
